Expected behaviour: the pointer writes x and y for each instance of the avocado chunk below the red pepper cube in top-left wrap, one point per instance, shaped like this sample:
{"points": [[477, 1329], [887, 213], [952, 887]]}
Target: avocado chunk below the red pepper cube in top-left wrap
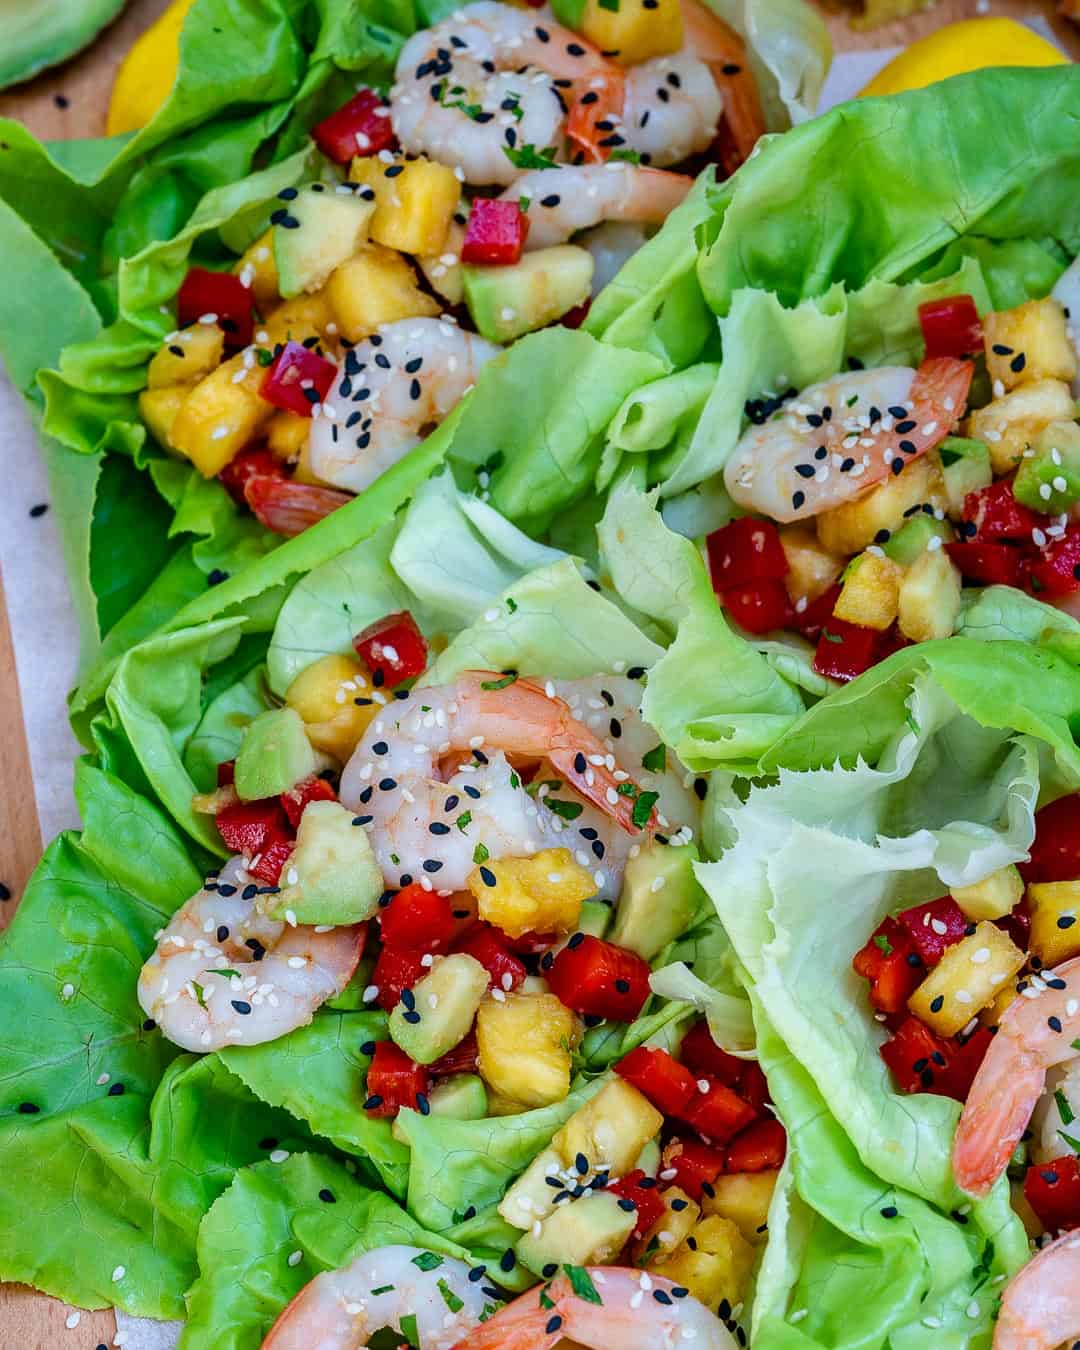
{"points": [[524, 296]]}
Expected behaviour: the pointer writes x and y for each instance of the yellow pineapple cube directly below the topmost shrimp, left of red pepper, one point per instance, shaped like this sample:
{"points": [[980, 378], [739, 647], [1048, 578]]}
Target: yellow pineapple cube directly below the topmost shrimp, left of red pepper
{"points": [[415, 202]]}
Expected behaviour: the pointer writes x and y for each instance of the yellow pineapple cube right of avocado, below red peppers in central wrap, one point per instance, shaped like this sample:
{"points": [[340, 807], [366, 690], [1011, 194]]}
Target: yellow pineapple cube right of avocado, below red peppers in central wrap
{"points": [[524, 1044]]}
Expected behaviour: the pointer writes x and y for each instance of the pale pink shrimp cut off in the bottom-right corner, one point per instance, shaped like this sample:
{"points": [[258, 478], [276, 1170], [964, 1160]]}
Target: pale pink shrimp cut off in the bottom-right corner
{"points": [[1042, 1305]]}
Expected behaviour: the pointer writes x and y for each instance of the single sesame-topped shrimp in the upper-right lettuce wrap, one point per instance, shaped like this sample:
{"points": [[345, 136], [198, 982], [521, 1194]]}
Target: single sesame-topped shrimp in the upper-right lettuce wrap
{"points": [[844, 435]]}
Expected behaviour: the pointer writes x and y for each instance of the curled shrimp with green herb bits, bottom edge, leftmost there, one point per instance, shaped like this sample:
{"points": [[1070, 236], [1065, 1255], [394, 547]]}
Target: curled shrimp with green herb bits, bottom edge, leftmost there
{"points": [[342, 1310]]}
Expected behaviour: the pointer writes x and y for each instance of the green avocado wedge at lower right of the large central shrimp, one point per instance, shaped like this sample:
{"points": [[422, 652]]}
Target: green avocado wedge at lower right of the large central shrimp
{"points": [[659, 898]]}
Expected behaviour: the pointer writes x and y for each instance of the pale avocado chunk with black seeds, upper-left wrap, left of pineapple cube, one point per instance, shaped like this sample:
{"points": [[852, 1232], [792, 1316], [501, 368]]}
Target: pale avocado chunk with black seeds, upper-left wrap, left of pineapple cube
{"points": [[323, 226]]}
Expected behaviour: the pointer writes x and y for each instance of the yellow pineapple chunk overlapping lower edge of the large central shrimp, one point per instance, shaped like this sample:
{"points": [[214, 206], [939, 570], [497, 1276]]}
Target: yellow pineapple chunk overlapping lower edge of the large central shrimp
{"points": [[539, 894]]}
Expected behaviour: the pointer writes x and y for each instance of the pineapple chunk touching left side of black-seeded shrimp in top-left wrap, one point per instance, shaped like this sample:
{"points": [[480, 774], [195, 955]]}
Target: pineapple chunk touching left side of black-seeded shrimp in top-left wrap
{"points": [[221, 416]]}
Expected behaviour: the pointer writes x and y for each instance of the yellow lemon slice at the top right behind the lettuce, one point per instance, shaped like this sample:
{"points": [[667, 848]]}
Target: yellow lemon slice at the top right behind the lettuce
{"points": [[958, 48]]}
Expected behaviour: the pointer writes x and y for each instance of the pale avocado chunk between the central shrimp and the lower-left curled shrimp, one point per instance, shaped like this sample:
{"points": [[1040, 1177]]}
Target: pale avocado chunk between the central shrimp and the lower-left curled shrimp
{"points": [[333, 875]]}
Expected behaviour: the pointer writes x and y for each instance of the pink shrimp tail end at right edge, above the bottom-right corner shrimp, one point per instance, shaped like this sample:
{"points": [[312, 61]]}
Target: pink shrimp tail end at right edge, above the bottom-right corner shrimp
{"points": [[1036, 1033]]}
